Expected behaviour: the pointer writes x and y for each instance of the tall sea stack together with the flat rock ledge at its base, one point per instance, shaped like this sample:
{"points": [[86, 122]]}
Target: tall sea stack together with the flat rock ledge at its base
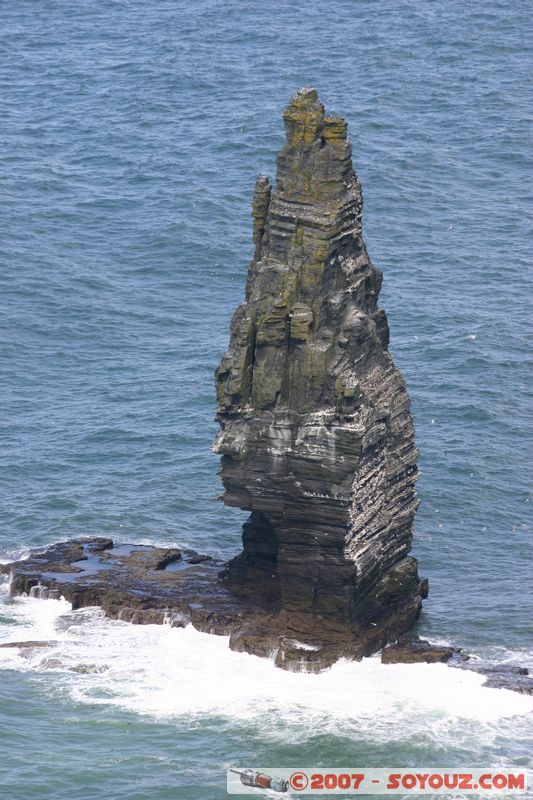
{"points": [[316, 442]]}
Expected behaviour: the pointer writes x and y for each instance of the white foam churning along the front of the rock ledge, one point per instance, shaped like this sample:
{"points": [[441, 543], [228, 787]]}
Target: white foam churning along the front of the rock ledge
{"points": [[163, 671]]}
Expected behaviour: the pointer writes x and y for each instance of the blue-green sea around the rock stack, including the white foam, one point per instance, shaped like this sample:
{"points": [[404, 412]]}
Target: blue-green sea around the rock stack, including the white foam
{"points": [[132, 133]]}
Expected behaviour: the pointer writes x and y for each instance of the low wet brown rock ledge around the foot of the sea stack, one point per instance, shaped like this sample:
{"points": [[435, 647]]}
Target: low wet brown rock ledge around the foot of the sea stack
{"points": [[153, 585]]}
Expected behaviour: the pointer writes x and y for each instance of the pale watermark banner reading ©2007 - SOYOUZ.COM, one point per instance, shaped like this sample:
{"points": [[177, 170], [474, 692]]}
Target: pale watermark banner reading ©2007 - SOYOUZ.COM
{"points": [[376, 781]]}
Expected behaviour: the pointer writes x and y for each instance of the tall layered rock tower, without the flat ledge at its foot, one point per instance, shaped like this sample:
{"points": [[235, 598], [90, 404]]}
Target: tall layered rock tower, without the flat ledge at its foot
{"points": [[316, 436]]}
